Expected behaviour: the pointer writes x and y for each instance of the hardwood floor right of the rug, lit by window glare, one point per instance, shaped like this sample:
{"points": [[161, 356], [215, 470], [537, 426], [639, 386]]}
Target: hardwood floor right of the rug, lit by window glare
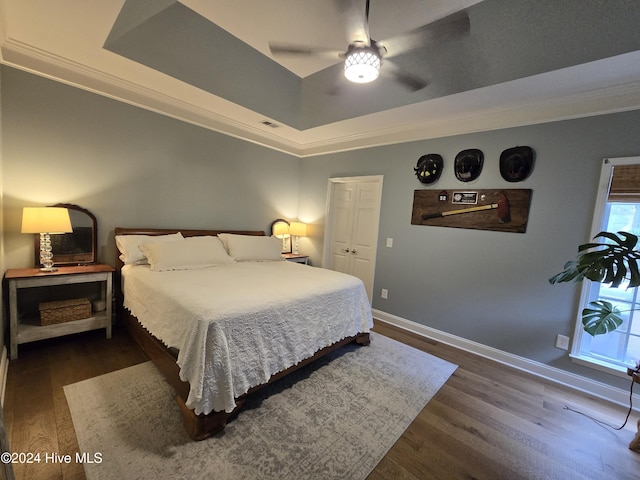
{"points": [[490, 421]]}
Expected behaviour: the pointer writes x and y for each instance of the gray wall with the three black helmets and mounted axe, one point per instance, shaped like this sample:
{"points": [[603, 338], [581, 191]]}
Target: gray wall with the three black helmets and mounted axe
{"points": [[488, 287]]}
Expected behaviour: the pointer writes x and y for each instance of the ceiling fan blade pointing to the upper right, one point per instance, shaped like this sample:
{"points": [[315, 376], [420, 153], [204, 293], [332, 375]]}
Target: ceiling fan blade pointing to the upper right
{"points": [[453, 26]]}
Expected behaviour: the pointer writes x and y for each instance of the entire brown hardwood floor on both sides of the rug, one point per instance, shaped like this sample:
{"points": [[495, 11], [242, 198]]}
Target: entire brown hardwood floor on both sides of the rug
{"points": [[488, 421]]}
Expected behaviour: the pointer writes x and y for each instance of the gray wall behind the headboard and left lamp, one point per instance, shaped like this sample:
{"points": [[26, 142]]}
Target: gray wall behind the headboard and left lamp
{"points": [[129, 167]]}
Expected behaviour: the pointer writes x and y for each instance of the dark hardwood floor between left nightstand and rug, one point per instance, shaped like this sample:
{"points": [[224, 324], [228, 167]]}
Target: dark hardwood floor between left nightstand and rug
{"points": [[35, 409]]}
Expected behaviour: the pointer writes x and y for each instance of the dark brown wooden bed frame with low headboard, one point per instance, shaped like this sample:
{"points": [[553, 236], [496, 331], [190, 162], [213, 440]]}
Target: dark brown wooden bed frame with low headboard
{"points": [[201, 426]]}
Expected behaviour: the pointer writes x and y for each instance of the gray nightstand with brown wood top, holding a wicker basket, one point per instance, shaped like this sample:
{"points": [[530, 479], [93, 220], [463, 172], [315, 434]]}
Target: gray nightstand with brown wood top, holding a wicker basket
{"points": [[24, 330]]}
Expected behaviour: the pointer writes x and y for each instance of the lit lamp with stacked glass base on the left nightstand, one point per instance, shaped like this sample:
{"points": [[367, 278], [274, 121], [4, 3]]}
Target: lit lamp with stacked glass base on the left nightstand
{"points": [[45, 221]]}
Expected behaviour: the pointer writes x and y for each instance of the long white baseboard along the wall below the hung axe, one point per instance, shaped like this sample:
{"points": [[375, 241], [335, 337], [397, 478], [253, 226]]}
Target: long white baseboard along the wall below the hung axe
{"points": [[577, 382]]}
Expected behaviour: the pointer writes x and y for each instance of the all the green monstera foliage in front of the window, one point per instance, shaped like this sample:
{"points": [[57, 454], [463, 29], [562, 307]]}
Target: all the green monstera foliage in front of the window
{"points": [[613, 263]]}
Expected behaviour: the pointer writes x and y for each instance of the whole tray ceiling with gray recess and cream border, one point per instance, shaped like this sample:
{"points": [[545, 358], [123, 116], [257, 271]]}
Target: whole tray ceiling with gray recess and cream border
{"points": [[207, 62]]}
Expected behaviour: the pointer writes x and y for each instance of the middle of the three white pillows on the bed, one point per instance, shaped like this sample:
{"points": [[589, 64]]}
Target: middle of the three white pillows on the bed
{"points": [[186, 254]]}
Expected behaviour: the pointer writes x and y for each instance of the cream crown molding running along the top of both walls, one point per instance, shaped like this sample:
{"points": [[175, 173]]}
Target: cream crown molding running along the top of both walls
{"points": [[292, 141]]}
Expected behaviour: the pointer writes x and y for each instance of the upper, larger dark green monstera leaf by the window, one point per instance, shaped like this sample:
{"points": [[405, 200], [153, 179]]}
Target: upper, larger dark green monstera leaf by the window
{"points": [[610, 263]]}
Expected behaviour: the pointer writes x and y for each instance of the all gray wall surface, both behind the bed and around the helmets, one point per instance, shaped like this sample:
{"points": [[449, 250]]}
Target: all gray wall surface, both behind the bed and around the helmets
{"points": [[131, 167]]}
